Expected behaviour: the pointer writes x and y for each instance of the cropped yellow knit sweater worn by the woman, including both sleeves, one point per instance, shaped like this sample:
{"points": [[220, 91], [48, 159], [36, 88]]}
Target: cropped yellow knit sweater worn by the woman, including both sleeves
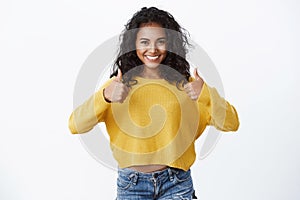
{"points": [[156, 124]]}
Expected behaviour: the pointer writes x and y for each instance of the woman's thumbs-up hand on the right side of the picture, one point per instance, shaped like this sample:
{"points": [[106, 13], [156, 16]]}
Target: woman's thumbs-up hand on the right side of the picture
{"points": [[193, 89]]}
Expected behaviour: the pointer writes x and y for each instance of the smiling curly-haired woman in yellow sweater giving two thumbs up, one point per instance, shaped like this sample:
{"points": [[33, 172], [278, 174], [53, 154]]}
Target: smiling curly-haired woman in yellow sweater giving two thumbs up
{"points": [[154, 110]]}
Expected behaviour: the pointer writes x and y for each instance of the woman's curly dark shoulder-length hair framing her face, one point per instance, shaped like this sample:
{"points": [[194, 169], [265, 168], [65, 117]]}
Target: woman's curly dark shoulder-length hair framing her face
{"points": [[177, 48]]}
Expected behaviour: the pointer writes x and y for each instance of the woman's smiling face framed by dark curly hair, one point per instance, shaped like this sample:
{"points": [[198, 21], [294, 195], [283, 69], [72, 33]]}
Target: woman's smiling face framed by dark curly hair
{"points": [[151, 45]]}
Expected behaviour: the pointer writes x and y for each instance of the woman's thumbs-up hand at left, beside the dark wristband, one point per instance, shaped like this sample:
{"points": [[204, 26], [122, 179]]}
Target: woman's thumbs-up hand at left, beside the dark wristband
{"points": [[116, 91]]}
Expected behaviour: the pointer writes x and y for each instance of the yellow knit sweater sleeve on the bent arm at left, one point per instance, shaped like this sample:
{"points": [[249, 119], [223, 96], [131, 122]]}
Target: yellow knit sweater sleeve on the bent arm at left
{"points": [[90, 113]]}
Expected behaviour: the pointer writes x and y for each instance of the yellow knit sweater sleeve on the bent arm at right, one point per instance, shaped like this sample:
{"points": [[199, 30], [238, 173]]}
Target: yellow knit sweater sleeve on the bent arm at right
{"points": [[218, 112]]}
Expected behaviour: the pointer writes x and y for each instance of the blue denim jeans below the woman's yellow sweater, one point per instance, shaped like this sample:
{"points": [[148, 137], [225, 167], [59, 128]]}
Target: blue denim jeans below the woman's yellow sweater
{"points": [[168, 184]]}
